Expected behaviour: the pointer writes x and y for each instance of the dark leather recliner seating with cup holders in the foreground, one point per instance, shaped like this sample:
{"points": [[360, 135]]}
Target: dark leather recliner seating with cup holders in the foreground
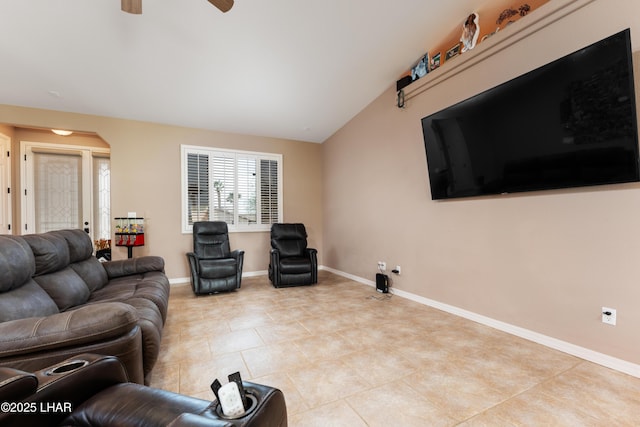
{"points": [[92, 390]]}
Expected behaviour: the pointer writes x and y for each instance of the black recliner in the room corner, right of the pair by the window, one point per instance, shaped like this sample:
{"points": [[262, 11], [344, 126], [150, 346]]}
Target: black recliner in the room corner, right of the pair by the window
{"points": [[292, 262]]}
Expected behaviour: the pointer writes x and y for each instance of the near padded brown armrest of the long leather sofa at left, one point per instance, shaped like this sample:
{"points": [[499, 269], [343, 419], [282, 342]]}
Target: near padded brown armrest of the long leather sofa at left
{"points": [[88, 324]]}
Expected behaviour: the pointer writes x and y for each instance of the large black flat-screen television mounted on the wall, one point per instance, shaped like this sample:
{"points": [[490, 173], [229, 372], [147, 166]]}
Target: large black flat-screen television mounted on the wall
{"points": [[570, 123]]}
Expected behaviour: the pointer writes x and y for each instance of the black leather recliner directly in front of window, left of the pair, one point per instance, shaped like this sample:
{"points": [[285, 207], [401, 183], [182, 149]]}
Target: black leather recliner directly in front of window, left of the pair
{"points": [[214, 267]]}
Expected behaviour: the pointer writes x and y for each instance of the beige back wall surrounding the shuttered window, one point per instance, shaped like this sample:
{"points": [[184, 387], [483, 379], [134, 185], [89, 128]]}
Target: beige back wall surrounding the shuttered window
{"points": [[145, 167]]}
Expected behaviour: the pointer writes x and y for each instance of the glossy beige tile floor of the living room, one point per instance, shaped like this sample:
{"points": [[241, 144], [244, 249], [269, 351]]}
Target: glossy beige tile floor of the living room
{"points": [[344, 355]]}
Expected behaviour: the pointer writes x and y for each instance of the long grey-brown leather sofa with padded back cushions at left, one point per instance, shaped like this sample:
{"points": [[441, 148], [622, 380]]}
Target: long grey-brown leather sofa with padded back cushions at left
{"points": [[57, 300]]}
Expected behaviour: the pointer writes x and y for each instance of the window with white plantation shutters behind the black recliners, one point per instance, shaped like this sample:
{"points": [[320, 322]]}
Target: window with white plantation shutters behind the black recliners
{"points": [[239, 187]]}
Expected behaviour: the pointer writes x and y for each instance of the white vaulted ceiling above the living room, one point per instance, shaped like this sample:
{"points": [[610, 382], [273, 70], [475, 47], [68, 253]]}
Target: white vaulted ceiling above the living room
{"points": [[297, 69]]}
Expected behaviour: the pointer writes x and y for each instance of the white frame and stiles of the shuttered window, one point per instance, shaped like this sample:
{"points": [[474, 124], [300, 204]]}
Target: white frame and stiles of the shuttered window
{"points": [[235, 227]]}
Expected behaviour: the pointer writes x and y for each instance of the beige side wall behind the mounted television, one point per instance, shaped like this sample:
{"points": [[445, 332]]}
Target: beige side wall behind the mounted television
{"points": [[544, 261]]}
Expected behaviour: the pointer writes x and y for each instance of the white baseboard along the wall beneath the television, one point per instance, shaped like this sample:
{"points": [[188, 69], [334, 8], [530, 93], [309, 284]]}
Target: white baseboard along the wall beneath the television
{"points": [[572, 349]]}
